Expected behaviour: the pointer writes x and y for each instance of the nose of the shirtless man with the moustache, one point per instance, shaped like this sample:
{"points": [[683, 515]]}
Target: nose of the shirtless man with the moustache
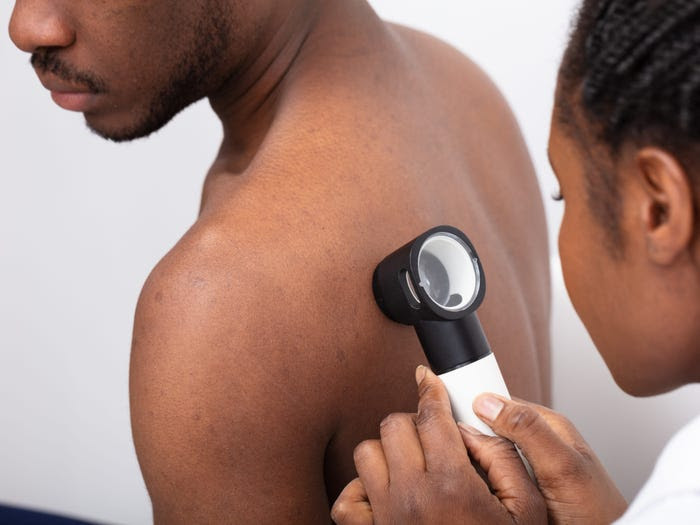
{"points": [[39, 24]]}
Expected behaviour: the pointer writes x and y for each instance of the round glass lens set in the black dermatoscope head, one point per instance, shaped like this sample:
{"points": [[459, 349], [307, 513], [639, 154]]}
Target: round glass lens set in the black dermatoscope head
{"points": [[448, 272]]}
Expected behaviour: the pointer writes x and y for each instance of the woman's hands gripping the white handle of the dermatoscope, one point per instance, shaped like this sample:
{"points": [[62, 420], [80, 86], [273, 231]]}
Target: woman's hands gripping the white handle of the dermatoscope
{"points": [[420, 471]]}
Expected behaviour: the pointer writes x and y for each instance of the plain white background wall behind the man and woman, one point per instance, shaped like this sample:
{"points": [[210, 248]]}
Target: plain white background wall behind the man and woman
{"points": [[83, 221]]}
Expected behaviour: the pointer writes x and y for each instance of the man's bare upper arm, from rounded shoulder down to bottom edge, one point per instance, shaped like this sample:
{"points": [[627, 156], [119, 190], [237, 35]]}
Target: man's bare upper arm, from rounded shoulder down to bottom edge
{"points": [[224, 426]]}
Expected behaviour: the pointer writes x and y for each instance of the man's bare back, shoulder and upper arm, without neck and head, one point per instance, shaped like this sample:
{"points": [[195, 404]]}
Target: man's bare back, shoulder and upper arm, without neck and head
{"points": [[260, 359]]}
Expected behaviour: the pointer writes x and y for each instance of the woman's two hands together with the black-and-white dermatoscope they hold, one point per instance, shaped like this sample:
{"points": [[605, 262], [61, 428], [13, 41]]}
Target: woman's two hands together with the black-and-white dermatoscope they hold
{"points": [[436, 283]]}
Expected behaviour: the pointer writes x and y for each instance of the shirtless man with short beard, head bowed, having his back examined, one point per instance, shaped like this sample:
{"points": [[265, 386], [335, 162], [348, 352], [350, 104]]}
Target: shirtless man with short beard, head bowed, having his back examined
{"points": [[259, 358]]}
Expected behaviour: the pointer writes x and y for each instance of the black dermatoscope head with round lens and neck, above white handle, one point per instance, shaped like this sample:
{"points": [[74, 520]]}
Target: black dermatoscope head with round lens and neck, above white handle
{"points": [[436, 283]]}
